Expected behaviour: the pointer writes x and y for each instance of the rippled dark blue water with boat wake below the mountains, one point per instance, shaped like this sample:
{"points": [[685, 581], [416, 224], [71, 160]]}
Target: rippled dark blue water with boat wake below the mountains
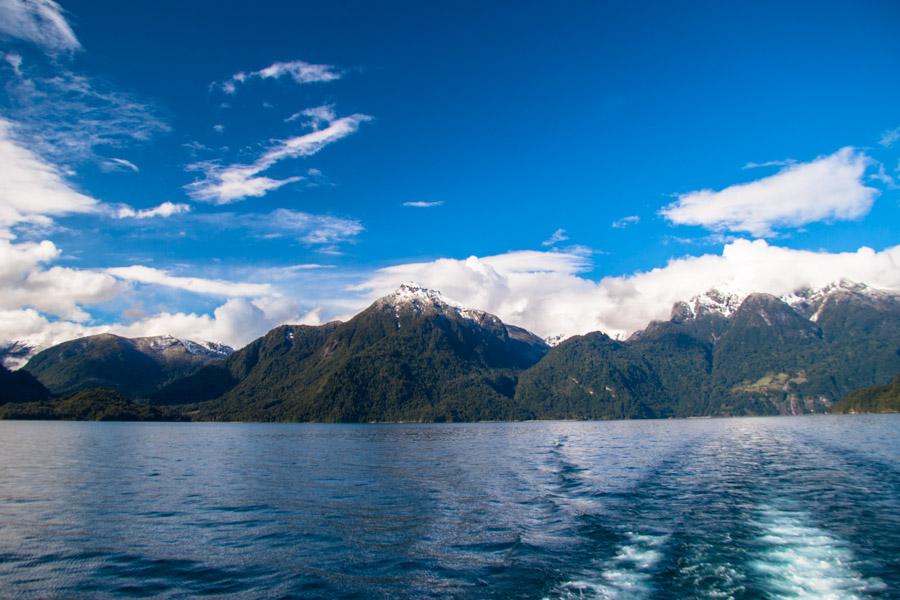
{"points": [[734, 508]]}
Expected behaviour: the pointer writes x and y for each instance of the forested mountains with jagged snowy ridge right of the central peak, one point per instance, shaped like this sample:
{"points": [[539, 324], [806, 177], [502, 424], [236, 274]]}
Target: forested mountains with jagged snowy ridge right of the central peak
{"points": [[721, 355]]}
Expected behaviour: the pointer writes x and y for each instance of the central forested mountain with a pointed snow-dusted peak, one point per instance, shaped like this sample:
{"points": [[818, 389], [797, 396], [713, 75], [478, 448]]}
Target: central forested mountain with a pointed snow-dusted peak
{"points": [[410, 356]]}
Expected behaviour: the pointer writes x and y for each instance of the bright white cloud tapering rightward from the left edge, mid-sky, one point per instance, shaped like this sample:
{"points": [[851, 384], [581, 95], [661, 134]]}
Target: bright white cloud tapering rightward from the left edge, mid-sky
{"points": [[31, 189]]}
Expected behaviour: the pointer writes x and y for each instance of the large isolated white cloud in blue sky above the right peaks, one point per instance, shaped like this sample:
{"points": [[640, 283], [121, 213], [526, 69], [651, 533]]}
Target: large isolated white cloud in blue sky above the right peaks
{"points": [[827, 188]]}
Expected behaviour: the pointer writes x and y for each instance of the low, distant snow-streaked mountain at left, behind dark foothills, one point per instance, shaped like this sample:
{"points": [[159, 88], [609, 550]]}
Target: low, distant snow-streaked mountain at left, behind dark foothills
{"points": [[135, 367]]}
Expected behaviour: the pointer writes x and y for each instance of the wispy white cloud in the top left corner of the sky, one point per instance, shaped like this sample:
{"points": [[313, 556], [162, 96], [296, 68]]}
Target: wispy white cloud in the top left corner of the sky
{"points": [[38, 21]]}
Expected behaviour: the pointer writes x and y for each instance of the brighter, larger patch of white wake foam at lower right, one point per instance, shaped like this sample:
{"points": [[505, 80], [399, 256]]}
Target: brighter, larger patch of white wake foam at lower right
{"points": [[803, 561]]}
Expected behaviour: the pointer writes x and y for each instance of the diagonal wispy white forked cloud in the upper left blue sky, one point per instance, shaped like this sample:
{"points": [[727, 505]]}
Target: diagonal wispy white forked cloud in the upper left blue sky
{"points": [[224, 185]]}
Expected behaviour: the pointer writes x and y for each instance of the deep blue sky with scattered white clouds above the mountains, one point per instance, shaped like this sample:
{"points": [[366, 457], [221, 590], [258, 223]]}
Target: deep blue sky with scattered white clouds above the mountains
{"points": [[212, 169]]}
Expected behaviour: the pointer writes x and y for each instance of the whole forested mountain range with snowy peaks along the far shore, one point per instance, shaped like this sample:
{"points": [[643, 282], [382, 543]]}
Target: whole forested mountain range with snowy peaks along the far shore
{"points": [[415, 356]]}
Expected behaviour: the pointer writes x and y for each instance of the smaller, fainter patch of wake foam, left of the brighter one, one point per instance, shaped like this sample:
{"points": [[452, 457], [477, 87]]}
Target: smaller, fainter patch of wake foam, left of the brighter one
{"points": [[627, 576]]}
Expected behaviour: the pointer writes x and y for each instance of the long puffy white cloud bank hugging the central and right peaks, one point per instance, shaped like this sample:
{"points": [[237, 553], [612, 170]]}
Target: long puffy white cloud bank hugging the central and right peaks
{"points": [[547, 292]]}
